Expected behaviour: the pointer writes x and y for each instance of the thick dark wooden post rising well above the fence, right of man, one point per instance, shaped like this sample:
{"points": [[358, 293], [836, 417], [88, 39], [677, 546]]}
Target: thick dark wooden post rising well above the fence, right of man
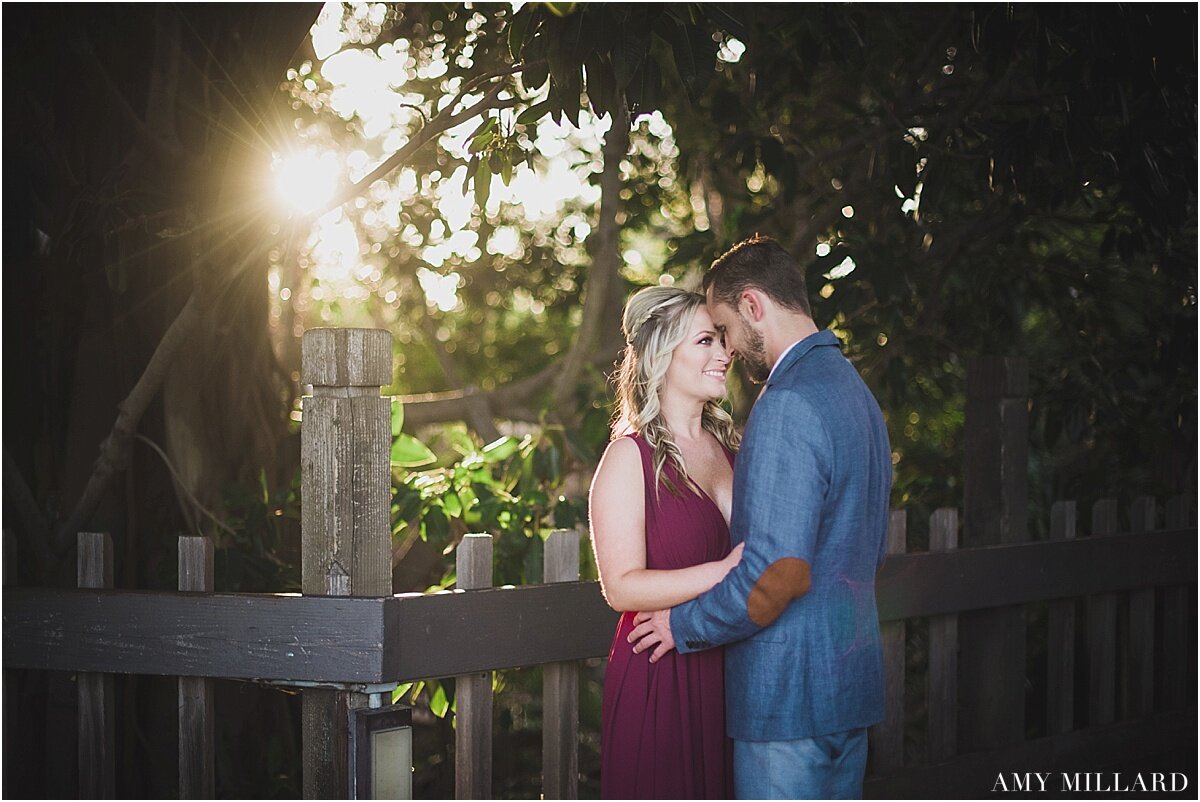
{"points": [[992, 657]]}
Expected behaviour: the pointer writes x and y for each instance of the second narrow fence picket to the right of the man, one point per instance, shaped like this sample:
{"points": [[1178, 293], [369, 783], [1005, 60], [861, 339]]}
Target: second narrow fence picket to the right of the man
{"points": [[944, 653]]}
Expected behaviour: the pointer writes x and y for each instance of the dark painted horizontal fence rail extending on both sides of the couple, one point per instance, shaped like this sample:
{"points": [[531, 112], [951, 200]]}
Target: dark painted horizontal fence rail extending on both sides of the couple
{"points": [[381, 641]]}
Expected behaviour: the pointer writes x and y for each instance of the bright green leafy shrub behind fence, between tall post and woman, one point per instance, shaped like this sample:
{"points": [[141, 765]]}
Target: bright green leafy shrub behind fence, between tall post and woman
{"points": [[513, 489]]}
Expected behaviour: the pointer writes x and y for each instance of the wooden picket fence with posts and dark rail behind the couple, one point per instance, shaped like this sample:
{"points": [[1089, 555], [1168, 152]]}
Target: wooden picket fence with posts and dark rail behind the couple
{"points": [[1117, 612]]}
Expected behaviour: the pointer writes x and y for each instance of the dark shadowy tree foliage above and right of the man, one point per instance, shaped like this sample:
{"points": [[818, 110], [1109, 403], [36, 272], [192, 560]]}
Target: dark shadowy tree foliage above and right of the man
{"points": [[979, 179]]}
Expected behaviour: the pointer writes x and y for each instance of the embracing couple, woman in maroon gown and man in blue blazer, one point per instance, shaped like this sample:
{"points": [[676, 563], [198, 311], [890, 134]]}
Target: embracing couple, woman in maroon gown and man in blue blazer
{"points": [[747, 661]]}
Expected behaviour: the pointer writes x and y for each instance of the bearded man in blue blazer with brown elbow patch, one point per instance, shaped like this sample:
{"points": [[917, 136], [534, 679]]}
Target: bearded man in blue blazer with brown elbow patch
{"points": [[805, 668]]}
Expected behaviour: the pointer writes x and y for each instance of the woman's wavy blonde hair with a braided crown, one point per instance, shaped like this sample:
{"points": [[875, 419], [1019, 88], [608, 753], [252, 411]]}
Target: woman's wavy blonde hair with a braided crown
{"points": [[656, 321]]}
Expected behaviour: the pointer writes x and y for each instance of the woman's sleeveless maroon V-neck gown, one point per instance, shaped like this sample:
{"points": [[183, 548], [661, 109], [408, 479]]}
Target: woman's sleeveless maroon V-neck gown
{"points": [[663, 728]]}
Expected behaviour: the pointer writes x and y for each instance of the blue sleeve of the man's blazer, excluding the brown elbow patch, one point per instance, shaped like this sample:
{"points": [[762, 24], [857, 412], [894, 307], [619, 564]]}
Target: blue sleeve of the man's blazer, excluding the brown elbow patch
{"points": [[782, 480]]}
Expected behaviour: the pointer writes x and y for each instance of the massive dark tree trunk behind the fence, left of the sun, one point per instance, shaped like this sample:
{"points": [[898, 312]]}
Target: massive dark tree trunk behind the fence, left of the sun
{"points": [[135, 166]]}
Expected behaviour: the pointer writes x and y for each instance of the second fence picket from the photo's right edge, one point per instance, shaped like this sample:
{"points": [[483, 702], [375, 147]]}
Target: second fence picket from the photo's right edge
{"points": [[1138, 675]]}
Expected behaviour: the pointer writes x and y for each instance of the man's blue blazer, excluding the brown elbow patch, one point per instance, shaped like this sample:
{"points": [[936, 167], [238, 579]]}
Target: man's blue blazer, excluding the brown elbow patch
{"points": [[812, 482]]}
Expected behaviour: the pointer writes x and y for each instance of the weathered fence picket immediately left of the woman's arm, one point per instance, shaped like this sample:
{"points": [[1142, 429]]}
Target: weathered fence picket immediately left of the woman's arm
{"points": [[561, 687]]}
